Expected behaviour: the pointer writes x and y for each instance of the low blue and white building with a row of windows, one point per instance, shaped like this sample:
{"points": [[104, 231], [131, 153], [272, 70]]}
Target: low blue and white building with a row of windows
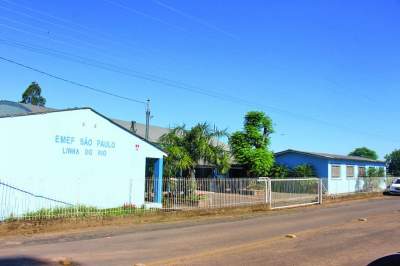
{"points": [[340, 174]]}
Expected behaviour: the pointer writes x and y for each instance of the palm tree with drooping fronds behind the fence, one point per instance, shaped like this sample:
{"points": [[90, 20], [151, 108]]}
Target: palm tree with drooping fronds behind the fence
{"points": [[187, 148]]}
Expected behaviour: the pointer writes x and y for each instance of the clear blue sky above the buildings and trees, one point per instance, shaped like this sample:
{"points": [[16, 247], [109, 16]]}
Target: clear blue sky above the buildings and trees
{"points": [[327, 72]]}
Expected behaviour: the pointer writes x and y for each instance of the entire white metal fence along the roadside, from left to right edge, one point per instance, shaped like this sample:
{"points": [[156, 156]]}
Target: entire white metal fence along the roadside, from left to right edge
{"points": [[188, 194]]}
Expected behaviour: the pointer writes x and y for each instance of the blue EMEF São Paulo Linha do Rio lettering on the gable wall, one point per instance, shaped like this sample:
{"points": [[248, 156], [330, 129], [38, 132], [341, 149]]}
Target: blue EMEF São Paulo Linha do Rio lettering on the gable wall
{"points": [[85, 146]]}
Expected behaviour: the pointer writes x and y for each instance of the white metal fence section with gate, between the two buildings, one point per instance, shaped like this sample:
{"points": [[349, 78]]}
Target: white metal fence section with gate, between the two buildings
{"points": [[186, 193]]}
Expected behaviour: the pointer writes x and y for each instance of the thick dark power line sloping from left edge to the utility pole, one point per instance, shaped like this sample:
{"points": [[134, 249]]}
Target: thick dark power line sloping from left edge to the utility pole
{"points": [[71, 81]]}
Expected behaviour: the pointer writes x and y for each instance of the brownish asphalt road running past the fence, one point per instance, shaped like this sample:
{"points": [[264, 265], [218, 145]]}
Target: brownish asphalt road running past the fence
{"points": [[327, 235]]}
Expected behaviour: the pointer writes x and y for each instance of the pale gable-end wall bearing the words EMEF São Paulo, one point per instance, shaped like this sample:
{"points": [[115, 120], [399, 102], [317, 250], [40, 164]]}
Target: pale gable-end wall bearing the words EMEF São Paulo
{"points": [[33, 158]]}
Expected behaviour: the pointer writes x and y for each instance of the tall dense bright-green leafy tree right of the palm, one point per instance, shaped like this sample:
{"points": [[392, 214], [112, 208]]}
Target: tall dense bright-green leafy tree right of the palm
{"points": [[250, 146]]}
